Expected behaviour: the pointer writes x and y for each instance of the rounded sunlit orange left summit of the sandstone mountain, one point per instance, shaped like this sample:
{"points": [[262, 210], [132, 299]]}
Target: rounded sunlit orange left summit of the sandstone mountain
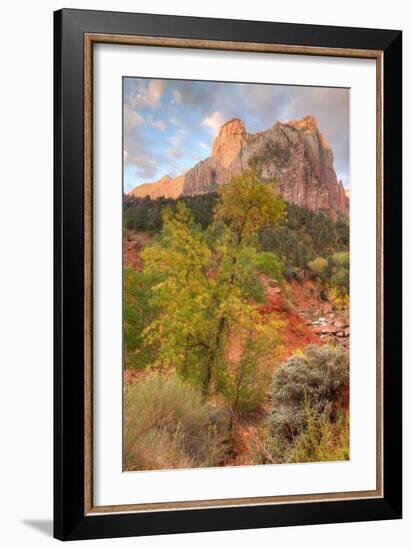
{"points": [[229, 141]]}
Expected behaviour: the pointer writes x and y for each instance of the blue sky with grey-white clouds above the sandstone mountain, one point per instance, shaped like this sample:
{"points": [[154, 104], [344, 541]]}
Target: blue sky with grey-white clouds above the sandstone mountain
{"points": [[169, 125]]}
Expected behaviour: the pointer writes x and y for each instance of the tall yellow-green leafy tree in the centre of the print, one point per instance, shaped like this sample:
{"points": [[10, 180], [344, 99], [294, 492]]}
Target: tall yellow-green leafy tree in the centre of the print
{"points": [[206, 283]]}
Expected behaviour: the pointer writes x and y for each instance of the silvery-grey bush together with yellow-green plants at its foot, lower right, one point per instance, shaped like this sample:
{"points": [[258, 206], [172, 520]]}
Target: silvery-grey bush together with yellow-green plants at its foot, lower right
{"points": [[308, 422]]}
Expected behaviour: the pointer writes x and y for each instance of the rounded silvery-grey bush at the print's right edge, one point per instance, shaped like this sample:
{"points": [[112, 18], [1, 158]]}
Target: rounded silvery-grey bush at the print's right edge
{"points": [[320, 376]]}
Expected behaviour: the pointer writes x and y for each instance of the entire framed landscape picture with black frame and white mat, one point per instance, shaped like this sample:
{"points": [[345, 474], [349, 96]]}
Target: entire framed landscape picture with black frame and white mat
{"points": [[227, 274]]}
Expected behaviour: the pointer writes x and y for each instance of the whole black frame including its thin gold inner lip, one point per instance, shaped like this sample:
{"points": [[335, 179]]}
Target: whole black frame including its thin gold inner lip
{"points": [[76, 33]]}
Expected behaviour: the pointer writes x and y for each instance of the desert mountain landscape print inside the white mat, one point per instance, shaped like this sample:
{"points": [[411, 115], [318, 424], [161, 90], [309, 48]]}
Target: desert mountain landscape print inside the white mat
{"points": [[235, 274]]}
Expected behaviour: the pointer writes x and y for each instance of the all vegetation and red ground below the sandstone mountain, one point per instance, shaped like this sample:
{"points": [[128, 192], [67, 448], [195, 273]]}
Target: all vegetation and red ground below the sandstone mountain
{"points": [[235, 330]]}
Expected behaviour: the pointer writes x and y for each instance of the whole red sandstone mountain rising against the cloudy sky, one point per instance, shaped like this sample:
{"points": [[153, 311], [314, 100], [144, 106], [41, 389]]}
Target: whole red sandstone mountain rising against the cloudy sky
{"points": [[297, 154]]}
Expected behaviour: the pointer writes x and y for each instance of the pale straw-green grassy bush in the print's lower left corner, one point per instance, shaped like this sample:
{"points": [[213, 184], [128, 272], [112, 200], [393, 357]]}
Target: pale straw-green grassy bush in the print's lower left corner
{"points": [[168, 425]]}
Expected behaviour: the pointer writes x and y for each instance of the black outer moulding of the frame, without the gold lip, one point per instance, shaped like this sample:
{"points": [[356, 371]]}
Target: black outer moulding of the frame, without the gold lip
{"points": [[70, 522]]}
